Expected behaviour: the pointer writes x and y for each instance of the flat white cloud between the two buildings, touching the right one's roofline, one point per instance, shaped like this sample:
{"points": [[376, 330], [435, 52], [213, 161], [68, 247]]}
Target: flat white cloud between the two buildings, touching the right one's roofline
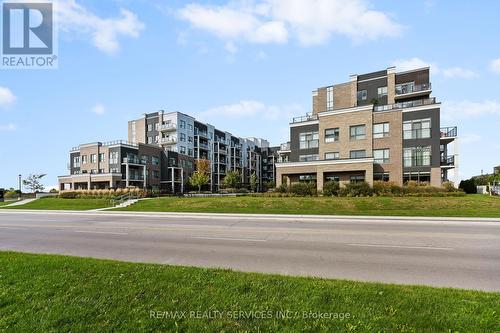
{"points": [[251, 109]]}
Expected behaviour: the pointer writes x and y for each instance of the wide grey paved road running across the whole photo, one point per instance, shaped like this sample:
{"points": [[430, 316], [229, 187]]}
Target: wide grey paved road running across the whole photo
{"points": [[440, 252]]}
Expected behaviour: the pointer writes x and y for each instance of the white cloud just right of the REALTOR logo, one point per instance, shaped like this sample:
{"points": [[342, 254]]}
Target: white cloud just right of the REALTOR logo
{"points": [[105, 32]]}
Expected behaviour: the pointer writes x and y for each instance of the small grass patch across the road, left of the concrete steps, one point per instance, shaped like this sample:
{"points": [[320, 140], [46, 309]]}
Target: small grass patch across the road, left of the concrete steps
{"points": [[64, 204]]}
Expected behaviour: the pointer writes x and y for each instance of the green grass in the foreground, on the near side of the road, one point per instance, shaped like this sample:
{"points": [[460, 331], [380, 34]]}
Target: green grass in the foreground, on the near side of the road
{"points": [[47, 293]]}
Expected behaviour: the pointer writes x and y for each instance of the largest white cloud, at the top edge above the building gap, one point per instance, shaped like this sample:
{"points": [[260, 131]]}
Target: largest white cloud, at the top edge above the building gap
{"points": [[276, 21]]}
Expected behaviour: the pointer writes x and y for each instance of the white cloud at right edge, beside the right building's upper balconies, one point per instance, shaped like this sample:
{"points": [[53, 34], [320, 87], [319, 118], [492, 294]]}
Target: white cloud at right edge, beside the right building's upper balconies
{"points": [[468, 109]]}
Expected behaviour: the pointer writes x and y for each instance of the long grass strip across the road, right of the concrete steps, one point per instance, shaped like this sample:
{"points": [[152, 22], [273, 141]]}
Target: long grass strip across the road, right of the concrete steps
{"points": [[470, 205]]}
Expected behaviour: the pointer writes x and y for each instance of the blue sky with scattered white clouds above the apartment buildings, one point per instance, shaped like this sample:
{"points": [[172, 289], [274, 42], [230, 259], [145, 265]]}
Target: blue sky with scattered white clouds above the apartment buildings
{"points": [[246, 67]]}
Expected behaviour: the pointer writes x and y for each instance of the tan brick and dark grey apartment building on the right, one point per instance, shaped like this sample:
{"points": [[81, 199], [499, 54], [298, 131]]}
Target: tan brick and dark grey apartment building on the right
{"points": [[377, 126]]}
